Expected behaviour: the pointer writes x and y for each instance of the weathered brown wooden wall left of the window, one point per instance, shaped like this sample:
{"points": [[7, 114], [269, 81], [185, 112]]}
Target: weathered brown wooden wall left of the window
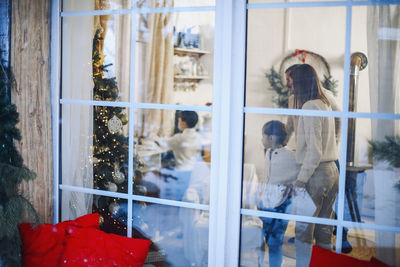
{"points": [[30, 59]]}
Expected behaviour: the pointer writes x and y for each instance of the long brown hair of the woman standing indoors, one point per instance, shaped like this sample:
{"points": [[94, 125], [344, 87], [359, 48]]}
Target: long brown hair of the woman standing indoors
{"points": [[306, 85]]}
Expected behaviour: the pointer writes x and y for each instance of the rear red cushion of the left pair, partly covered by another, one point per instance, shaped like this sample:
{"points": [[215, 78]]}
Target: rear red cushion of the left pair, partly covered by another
{"points": [[44, 245]]}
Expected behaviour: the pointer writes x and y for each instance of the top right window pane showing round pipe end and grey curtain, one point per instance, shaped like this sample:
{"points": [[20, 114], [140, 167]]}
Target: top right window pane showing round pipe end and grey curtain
{"points": [[375, 67]]}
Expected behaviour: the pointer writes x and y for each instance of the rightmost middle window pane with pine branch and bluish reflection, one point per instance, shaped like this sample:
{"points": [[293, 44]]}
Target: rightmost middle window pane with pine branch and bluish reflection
{"points": [[372, 177]]}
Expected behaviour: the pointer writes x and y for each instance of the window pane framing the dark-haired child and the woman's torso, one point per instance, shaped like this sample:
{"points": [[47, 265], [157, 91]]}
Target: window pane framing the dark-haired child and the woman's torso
{"points": [[277, 169]]}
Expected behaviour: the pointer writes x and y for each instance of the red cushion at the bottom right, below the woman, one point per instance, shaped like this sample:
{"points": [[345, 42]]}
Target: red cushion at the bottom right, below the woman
{"points": [[327, 258]]}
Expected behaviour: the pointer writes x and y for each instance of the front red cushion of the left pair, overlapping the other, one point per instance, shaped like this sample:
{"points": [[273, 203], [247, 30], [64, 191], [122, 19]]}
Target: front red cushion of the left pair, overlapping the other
{"points": [[92, 247]]}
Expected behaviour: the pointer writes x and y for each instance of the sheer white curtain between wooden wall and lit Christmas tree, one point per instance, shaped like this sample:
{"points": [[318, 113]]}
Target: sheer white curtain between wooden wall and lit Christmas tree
{"points": [[77, 120]]}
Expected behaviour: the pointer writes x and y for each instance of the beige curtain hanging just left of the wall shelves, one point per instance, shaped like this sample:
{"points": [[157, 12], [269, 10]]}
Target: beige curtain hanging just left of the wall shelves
{"points": [[160, 76]]}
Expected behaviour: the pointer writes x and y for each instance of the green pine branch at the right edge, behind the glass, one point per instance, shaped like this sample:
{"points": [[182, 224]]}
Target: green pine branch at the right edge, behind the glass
{"points": [[388, 150]]}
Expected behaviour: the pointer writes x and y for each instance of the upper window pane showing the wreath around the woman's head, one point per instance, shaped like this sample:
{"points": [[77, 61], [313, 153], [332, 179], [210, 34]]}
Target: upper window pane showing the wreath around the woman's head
{"points": [[279, 38]]}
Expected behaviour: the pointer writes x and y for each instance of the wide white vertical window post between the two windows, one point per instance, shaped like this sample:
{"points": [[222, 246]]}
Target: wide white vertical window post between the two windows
{"points": [[227, 133]]}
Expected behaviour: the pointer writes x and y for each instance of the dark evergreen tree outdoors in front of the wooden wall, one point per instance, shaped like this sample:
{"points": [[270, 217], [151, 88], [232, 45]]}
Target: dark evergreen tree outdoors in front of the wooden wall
{"points": [[14, 208]]}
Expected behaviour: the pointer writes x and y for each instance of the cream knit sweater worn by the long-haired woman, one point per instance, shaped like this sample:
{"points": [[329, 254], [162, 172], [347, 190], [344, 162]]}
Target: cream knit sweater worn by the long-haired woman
{"points": [[315, 138]]}
